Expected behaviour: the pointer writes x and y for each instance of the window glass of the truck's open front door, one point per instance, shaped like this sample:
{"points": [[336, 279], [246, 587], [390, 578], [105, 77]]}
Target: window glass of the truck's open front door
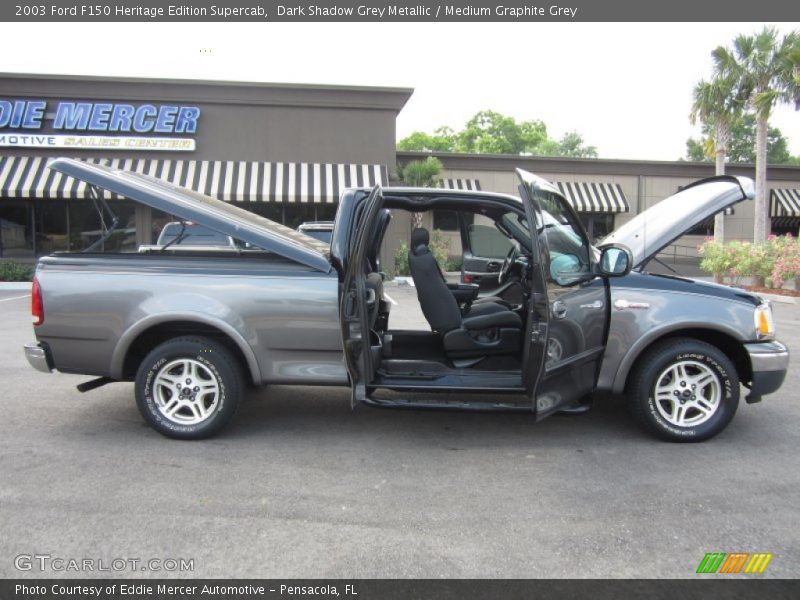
{"points": [[564, 249]]}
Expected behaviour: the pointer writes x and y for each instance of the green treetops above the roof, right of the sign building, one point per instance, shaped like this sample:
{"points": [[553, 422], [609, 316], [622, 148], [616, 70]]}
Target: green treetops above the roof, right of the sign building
{"points": [[490, 132]]}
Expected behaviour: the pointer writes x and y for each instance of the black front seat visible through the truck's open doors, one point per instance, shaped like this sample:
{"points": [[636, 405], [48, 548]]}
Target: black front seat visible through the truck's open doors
{"points": [[498, 331]]}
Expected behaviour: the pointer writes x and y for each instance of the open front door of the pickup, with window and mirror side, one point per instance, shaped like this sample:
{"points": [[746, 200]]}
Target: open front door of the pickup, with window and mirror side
{"points": [[577, 302]]}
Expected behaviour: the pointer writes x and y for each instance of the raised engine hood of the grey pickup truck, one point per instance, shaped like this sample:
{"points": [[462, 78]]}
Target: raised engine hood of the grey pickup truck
{"points": [[653, 230]]}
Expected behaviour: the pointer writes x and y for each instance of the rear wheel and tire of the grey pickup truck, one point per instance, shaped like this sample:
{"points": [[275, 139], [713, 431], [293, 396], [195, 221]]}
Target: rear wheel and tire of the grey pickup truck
{"points": [[207, 382]]}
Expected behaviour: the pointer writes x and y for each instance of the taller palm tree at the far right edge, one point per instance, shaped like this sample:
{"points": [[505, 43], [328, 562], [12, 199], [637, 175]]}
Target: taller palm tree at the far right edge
{"points": [[767, 72]]}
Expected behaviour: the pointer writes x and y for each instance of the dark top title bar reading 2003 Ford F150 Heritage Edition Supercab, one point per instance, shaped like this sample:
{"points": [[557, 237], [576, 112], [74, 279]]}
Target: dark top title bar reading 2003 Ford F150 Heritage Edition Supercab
{"points": [[387, 11]]}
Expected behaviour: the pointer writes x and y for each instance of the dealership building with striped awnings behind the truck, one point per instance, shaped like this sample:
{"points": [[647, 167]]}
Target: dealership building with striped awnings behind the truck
{"points": [[284, 151]]}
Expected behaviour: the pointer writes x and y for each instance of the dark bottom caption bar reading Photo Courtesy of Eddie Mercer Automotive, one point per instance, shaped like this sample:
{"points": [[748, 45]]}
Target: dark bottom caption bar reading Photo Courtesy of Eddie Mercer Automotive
{"points": [[703, 587]]}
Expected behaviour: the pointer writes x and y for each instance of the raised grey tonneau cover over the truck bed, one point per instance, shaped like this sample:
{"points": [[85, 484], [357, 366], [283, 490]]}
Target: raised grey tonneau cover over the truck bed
{"points": [[215, 214]]}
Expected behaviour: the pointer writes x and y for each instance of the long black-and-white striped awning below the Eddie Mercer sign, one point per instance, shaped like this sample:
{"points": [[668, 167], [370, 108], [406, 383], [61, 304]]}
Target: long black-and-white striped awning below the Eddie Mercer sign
{"points": [[238, 181]]}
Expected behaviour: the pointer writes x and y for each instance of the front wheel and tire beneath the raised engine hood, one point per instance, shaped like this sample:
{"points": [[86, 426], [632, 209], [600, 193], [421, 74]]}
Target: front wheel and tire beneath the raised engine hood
{"points": [[664, 403]]}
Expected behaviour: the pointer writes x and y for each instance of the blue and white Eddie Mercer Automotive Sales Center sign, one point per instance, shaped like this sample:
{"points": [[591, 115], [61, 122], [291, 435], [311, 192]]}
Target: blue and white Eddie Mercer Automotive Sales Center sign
{"points": [[85, 125]]}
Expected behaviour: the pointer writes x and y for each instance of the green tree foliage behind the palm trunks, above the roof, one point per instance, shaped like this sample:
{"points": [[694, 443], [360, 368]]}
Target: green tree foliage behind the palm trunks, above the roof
{"points": [[741, 146]]}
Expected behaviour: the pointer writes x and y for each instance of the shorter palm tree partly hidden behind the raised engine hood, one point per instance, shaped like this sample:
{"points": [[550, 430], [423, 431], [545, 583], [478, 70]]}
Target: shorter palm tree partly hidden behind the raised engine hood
{"points": [[717, 105]]}
